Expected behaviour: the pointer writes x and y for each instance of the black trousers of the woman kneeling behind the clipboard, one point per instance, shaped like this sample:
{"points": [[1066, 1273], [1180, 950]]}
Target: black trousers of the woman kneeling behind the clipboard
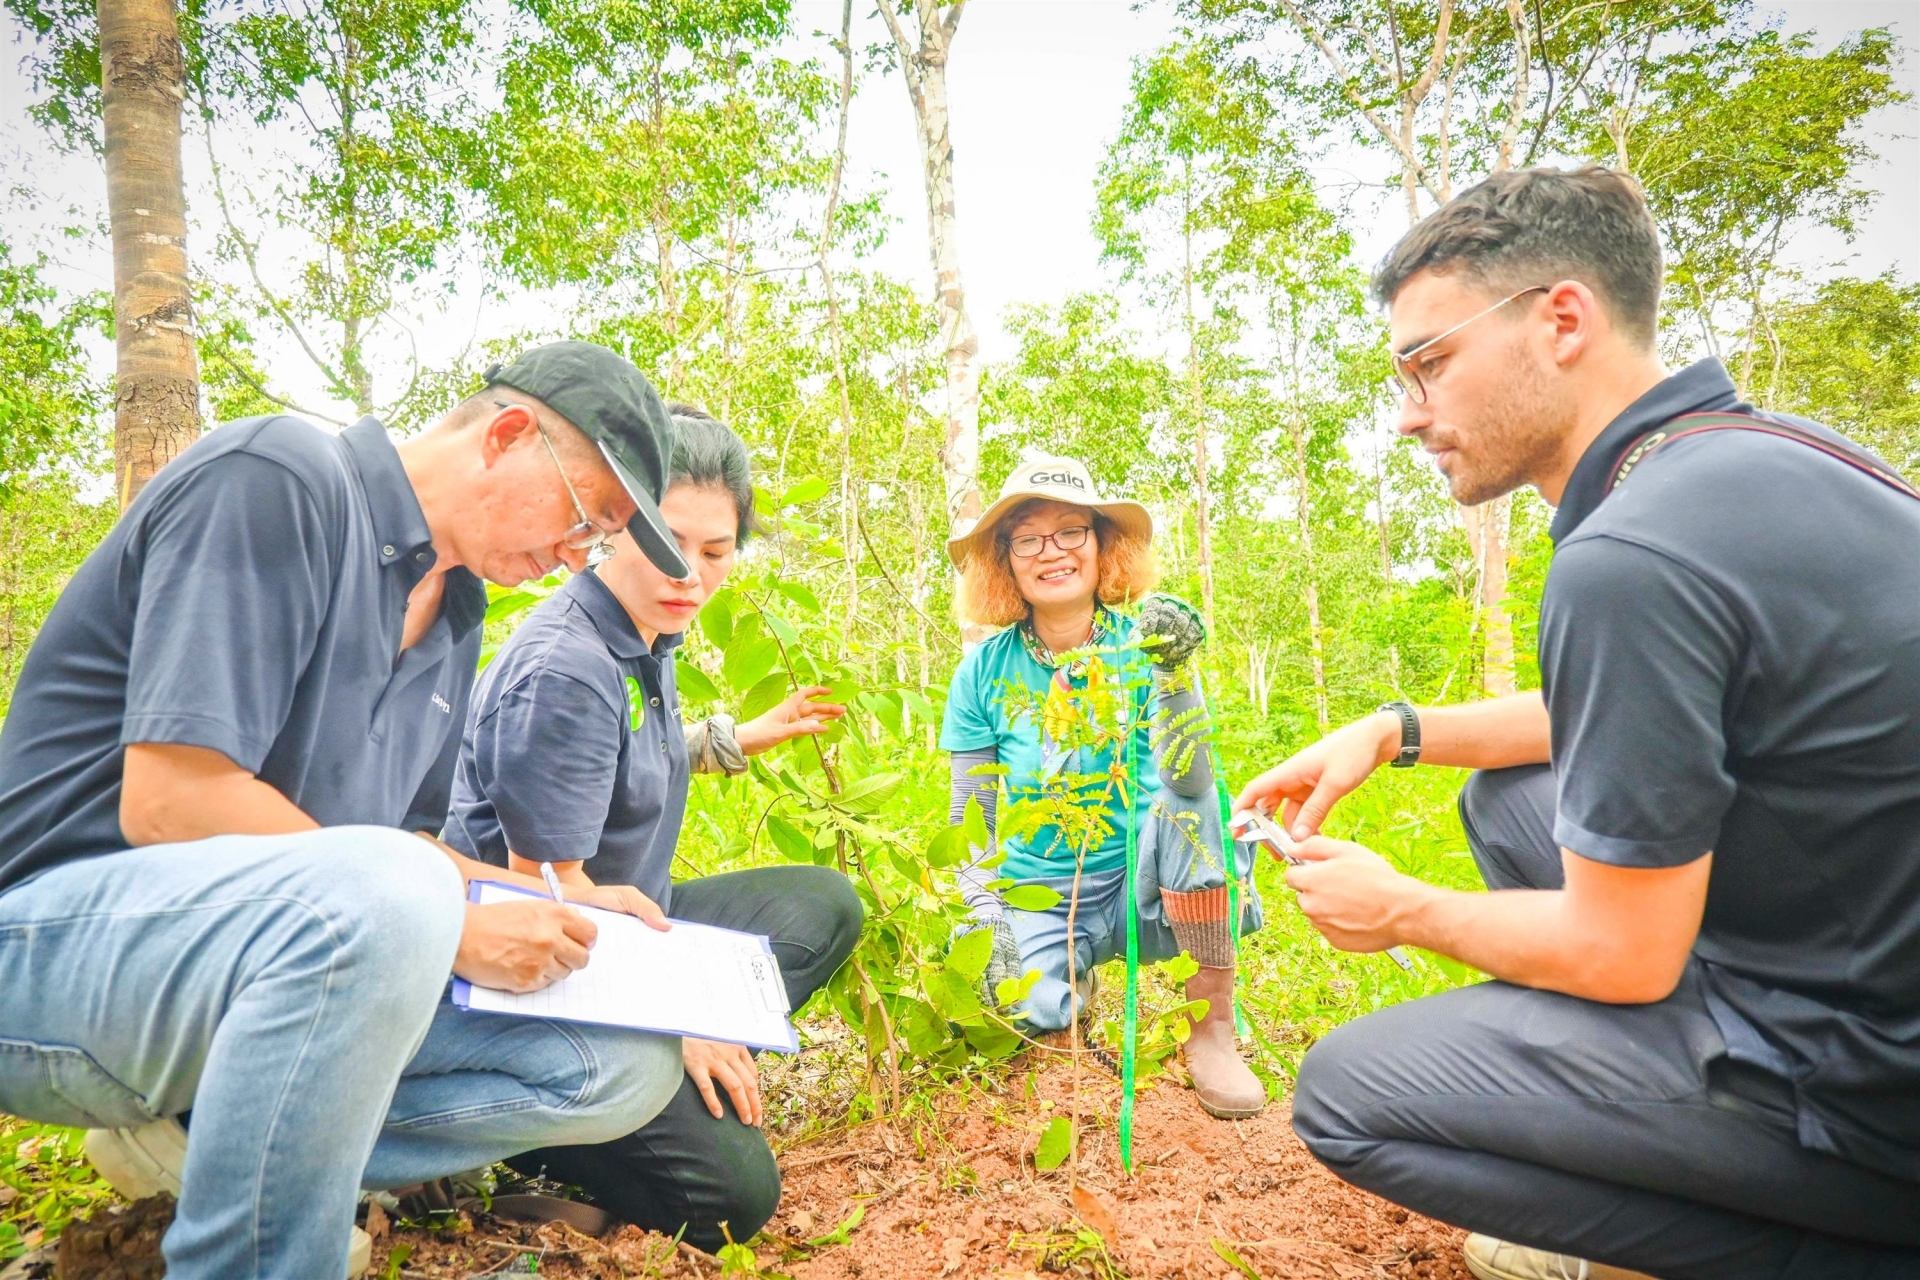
{"points": [[688, 1170]]}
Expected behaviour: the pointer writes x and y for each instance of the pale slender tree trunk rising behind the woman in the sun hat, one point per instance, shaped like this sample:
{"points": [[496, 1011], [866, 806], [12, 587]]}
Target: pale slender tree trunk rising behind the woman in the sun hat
{"points": [[924, 68]]}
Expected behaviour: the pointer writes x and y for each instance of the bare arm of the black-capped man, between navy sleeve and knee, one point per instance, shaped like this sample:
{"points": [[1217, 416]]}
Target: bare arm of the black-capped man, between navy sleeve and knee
{"points": [[172, 795]]}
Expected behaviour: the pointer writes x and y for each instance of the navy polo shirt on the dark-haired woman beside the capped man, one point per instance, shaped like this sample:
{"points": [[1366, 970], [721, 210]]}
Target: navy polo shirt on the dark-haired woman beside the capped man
{"points": [[554, 765]]}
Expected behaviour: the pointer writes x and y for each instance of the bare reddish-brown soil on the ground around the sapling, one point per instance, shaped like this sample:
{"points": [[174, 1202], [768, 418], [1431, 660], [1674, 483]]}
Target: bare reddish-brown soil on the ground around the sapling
{"points": [[951, 1193]]}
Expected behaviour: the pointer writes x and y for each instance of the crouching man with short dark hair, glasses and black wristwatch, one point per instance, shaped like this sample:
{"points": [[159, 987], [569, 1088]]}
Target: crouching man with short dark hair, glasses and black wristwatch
{"points": [[1702, 1053]]}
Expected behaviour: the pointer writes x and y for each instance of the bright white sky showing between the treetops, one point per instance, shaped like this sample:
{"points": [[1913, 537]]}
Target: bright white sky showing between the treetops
{"points": [[1038, 91]]}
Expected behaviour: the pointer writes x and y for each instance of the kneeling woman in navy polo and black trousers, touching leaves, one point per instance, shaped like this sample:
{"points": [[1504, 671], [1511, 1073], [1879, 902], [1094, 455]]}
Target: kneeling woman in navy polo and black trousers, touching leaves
{"points": [[575, 755]]}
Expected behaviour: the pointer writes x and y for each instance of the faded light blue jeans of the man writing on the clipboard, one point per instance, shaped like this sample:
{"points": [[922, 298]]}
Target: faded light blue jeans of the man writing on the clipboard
{"points": [[291, 991]]}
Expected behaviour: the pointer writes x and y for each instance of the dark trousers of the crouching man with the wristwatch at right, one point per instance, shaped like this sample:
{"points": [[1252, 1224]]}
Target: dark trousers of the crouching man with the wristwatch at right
{"points": [[1612, 1133]]}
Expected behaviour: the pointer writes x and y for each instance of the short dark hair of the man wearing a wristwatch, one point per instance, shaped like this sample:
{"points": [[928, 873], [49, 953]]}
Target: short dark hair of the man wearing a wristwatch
{"points": [[1535, 227]]}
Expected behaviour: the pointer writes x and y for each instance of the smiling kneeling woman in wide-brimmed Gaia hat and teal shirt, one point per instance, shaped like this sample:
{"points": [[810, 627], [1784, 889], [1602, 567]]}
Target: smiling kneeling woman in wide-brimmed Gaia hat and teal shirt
{"points": [[1047, 561]]}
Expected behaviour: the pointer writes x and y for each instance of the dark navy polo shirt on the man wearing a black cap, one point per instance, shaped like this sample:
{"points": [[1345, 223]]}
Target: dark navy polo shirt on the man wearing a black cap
{"points": [[249, 602]]}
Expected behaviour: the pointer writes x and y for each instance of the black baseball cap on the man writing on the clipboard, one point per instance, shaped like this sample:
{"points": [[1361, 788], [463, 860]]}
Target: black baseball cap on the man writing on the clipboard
{"points": [[608, 398]]}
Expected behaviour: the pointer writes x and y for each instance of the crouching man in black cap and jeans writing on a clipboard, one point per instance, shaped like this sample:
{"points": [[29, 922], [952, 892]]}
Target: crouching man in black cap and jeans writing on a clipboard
{"points": [[224, 742]]}
